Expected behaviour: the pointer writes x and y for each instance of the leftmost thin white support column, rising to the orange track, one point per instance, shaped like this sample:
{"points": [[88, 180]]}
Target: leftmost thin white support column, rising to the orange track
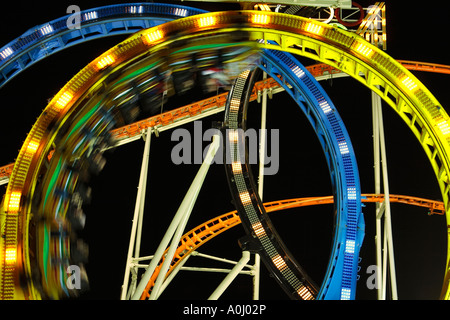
{"points": [[137, 217]]}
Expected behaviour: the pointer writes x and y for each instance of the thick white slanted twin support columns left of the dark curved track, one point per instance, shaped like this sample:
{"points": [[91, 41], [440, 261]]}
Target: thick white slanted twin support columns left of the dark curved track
{"points": [[176, 228]]}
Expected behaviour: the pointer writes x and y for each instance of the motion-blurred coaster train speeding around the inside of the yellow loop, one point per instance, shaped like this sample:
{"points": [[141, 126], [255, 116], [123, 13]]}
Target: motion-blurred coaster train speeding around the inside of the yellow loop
{"points": [[78, 135]]}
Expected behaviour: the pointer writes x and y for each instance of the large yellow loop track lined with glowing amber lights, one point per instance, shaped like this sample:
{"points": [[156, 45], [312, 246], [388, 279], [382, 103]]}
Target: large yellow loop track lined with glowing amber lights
{"points": [[343, 50]]}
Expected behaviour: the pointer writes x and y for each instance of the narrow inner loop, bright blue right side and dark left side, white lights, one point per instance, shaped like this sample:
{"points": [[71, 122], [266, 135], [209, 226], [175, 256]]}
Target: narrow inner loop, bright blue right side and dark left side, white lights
{"points": [[340, 279]]}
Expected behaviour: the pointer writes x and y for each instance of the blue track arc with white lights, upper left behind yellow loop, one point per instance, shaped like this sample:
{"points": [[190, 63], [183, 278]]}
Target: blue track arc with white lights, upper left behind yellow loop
{"points": [[43, 40]]}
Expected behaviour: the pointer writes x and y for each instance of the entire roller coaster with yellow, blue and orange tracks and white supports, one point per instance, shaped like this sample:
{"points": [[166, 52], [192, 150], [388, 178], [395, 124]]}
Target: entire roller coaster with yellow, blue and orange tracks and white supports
{"points": [[238, 59]]}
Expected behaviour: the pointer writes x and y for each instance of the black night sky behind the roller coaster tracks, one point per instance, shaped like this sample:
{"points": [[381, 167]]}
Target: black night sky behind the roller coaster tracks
{"points": [[415, 33]]}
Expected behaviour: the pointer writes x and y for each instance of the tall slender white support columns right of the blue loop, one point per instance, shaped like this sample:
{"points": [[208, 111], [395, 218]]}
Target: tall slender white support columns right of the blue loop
{"points": [[382, 211]]}
